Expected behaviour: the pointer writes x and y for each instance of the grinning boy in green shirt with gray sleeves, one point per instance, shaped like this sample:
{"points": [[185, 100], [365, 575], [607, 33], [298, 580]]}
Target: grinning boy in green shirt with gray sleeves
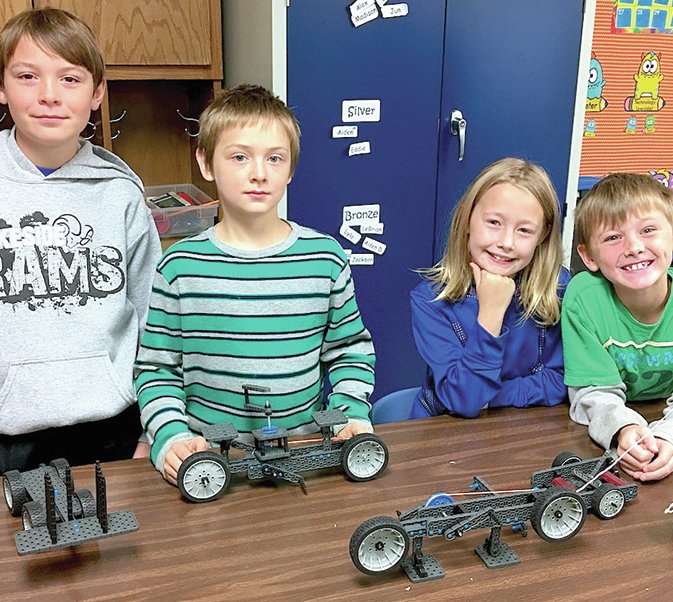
{"points": [[617, 320]]}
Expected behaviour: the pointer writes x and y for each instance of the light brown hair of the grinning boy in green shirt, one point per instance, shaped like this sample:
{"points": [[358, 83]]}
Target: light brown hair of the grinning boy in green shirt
{"points": [[615, 198]]}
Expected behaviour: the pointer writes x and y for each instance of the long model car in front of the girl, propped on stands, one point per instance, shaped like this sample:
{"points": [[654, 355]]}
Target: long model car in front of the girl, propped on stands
{"points": [[556, 506]]}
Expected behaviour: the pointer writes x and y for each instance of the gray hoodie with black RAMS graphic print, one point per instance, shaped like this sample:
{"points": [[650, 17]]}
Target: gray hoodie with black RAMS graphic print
{"points": [[78, 251]]}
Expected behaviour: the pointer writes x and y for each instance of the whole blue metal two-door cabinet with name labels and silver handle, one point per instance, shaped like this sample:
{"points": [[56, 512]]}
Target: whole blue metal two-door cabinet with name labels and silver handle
{"points": [[510, 66]]}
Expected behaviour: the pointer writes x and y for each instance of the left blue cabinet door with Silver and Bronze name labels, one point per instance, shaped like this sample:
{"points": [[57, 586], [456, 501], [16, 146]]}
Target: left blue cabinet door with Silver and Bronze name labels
{"points": [[397, 61]]}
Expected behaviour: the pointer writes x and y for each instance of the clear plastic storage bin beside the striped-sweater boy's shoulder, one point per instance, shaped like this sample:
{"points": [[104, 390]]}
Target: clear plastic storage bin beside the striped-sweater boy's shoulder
{"points": [[185, 220]]}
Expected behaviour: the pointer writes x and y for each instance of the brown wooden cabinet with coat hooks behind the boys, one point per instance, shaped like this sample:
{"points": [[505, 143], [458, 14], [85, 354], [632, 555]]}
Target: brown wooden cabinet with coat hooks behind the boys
{"points": [[164, 60]]}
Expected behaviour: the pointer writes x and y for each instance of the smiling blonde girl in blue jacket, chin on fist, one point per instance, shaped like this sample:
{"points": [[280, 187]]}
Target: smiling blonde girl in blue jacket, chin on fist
{"points": [[486, 318]]}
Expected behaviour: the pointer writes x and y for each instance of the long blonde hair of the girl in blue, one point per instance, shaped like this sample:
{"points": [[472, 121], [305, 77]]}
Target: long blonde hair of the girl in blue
{"points": [[538, 281]]}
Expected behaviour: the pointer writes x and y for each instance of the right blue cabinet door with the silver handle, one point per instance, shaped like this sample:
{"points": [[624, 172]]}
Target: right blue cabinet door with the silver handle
{"points": [[511, 68]]}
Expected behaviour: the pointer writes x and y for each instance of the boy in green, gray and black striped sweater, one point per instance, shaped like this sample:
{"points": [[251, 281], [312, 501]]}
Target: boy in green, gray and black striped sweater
{"points": [[253, 300]]}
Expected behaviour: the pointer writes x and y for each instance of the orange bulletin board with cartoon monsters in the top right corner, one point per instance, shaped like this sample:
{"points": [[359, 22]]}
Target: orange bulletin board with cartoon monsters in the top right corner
{"points": [[628, 125]]}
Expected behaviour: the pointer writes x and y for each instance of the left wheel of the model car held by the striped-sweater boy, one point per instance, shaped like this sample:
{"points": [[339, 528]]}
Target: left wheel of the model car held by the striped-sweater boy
{"points": [[203, 477]]}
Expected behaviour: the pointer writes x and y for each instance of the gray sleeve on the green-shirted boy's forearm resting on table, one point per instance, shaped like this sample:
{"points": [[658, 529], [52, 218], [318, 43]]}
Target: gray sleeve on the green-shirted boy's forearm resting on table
{"points": [[603, 409]]}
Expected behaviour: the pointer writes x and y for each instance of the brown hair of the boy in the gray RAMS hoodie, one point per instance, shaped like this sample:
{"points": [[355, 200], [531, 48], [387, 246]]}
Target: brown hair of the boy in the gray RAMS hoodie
{"points": [[56, 31]]}
